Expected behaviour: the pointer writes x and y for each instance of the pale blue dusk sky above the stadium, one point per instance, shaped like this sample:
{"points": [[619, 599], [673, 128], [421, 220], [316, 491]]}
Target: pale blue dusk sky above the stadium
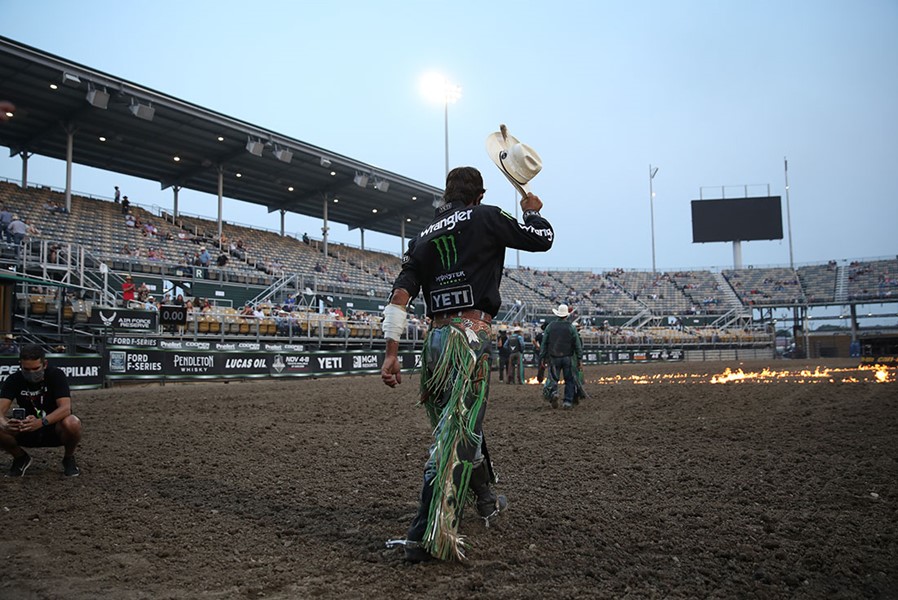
{"points": [[713, 93]]}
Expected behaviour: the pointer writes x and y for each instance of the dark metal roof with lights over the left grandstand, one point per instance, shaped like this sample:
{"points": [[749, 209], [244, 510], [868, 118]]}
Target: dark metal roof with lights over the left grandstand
{"points": [[123, 127]]}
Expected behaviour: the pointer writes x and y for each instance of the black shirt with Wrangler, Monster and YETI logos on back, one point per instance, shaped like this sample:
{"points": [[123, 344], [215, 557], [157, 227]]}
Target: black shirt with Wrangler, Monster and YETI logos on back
{"points": [[457, 260]]}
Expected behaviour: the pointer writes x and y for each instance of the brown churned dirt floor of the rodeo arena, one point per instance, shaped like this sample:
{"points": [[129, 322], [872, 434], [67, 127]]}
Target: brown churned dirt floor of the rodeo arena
{"points": [[672, 489]]}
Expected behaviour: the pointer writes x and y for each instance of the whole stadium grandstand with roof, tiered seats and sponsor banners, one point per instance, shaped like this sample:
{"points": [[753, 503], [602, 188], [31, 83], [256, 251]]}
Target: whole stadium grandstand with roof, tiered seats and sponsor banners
{"points": [[264, 291]]}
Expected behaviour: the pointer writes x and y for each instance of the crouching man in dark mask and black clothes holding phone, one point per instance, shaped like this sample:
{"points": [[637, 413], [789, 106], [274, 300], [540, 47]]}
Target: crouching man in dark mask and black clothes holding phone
{"points": [[43, 413]]}
